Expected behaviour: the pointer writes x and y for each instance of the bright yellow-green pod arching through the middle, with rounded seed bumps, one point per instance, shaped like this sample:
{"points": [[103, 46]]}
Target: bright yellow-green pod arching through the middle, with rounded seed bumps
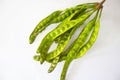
{"points": [[63, 27]]}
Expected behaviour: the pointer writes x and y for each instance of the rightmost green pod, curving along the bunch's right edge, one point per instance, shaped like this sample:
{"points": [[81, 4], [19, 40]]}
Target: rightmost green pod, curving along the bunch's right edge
{"points": [[91, 41]]}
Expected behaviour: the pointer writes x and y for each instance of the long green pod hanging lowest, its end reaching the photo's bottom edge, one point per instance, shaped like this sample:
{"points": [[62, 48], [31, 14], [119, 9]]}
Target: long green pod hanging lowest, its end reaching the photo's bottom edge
{"points": [[78, 43]]}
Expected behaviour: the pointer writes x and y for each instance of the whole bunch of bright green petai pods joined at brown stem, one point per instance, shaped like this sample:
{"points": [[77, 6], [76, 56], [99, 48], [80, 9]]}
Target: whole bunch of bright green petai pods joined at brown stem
{"points": [[69, 21]]}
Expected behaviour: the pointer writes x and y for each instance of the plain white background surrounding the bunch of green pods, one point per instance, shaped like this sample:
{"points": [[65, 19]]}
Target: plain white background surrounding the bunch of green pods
{"points": [[19, 17]]}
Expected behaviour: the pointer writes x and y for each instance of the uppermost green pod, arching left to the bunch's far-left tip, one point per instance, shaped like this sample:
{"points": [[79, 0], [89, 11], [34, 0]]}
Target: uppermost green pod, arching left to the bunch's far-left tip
{"points": [[54, 17]]}
